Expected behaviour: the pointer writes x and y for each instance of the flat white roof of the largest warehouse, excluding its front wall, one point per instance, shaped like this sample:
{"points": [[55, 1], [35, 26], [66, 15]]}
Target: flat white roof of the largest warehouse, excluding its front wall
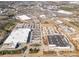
{"points": [[18, 35]]}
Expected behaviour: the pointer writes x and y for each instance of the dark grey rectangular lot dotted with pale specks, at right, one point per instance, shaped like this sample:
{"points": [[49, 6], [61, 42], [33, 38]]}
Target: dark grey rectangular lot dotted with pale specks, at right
{"points": [[58, 40]]}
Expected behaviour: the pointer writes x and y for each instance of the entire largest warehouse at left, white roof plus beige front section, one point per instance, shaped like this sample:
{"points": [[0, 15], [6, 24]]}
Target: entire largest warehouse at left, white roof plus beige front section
{"points": [[18, 35]]}
